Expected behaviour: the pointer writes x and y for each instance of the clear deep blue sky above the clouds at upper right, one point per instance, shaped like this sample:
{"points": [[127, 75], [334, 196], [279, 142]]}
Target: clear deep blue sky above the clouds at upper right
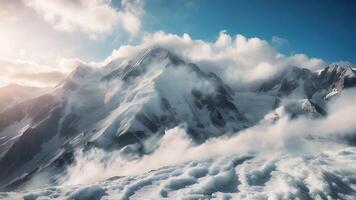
{"points": [[323, 28]]}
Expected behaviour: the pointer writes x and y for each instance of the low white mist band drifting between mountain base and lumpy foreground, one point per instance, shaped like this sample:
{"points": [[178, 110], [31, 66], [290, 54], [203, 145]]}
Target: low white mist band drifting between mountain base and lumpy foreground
{"points": [[284, 137]]}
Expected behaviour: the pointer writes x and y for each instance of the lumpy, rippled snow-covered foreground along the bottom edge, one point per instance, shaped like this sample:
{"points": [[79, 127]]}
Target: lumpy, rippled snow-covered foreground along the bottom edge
{"points": [[327, 175]]}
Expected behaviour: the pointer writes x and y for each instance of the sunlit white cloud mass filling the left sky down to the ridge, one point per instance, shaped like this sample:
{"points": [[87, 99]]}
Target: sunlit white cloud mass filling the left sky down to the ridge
{"points": [[32, 51]]}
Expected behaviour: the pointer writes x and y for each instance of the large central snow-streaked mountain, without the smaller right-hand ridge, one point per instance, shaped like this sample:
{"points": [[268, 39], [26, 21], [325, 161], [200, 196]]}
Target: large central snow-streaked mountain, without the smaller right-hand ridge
{"points": [[117, 107]]}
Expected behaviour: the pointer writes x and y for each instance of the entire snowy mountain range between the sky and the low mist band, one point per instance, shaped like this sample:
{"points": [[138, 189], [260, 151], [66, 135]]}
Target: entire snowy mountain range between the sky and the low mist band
{"points": [[125, 105]]}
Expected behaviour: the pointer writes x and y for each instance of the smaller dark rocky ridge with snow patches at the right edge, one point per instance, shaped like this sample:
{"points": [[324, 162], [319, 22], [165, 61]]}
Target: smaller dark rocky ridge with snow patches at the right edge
{"points": [[318, 86]]}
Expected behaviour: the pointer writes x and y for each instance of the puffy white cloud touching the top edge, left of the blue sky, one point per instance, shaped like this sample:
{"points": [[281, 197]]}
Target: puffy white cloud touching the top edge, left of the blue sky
{"points": [[95, 17]]}
